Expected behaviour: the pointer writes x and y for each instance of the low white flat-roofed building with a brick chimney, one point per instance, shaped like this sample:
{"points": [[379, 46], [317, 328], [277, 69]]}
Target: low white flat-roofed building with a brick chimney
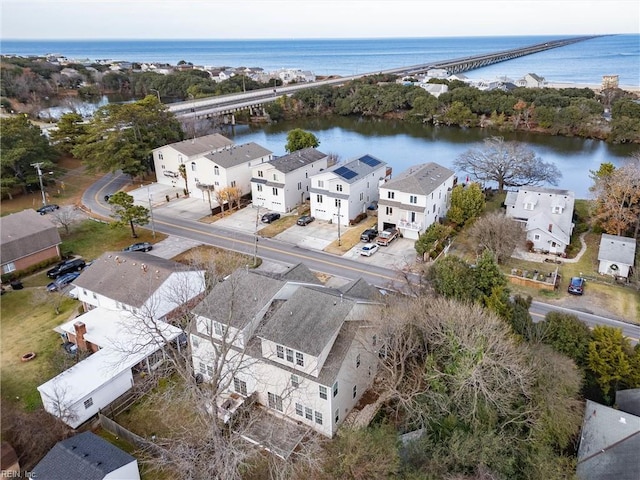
{"points": [[122, 344]]}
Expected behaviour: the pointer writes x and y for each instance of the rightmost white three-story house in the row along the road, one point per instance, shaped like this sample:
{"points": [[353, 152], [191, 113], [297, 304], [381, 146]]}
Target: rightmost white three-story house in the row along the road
{"points": [[415, 199]]}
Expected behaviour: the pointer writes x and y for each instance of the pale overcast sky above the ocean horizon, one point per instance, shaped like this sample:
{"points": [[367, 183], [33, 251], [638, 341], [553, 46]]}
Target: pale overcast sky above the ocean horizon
{"points": [[251, 19]]}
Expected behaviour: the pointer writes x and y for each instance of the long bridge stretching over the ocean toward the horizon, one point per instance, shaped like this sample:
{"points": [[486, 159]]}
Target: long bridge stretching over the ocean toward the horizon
{"points": [[228, 104]]}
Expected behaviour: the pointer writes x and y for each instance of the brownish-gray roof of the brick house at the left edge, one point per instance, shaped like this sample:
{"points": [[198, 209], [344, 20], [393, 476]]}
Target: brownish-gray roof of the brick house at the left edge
{"points": [[24, 233]]}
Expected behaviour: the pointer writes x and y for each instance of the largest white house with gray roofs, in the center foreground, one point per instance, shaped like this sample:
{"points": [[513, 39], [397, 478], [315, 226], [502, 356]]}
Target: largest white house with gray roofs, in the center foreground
{"points": [[304, 351]]}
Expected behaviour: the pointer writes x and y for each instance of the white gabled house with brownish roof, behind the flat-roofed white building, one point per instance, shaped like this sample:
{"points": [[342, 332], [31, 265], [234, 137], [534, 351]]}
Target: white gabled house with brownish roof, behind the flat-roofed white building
{"points": [[138, 282]]}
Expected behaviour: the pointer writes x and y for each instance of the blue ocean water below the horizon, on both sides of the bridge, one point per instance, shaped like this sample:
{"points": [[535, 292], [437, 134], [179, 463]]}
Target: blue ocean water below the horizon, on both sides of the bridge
{"points": [[581, 63]]}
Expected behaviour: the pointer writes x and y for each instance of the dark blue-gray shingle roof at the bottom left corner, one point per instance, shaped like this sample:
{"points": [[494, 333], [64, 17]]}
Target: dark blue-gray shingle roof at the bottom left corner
{"points": [[84, 456]]}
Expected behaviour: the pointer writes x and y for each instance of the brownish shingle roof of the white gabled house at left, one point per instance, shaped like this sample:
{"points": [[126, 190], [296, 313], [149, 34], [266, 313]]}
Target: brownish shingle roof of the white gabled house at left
{"points": [[127, 277]]}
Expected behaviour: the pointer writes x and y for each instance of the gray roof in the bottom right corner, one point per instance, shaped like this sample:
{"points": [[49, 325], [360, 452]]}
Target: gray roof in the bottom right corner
{"points": [[609, 444]]}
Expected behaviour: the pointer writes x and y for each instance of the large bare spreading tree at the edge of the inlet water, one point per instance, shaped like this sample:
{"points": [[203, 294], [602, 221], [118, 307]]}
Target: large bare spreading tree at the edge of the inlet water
{"points": [[509, 164]]}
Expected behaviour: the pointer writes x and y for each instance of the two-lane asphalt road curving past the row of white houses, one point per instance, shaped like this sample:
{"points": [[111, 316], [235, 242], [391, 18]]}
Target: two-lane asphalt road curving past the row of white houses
{"points": [[93, 200]]}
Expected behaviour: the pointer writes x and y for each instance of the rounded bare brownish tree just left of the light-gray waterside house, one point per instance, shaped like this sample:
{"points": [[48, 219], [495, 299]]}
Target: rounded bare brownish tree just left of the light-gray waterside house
{"points": [[499, 234]]}
